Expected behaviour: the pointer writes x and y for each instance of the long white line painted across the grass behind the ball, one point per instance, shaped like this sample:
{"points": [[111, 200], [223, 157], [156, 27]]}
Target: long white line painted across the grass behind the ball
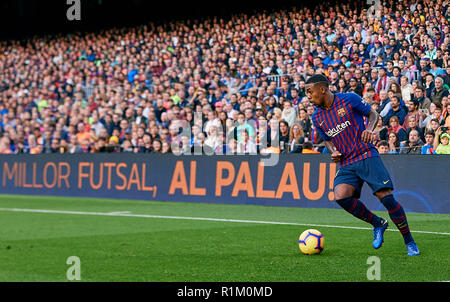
{"points": [[123, 214]]}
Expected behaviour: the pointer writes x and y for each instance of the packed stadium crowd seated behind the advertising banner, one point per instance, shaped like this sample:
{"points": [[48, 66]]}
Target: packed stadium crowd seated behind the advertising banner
{"points": [[229, 85]]}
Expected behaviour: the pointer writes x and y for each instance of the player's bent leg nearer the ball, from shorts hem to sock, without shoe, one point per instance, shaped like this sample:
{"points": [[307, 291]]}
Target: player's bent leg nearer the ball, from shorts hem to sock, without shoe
{"points": [[347, 189]]}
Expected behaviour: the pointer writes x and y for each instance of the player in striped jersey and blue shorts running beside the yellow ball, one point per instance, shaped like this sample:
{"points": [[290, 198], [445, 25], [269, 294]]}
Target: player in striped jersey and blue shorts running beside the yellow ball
{"points": [[339, 120]]}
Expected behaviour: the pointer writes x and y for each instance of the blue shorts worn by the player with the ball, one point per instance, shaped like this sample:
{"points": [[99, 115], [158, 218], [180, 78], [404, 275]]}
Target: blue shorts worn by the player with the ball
{"points": [[370, 170]]}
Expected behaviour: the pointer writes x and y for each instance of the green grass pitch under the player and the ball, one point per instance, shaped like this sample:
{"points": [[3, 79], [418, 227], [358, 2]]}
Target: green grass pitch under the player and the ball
{"points": [[35, 246]]}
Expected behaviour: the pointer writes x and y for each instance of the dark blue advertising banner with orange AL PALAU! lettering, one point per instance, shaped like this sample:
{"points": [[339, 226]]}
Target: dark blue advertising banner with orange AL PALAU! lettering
{"points": [[421, 181]]}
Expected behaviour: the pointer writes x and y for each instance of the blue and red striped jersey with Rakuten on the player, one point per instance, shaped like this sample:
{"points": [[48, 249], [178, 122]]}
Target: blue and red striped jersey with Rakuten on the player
{"points": [[343, 125]]}
